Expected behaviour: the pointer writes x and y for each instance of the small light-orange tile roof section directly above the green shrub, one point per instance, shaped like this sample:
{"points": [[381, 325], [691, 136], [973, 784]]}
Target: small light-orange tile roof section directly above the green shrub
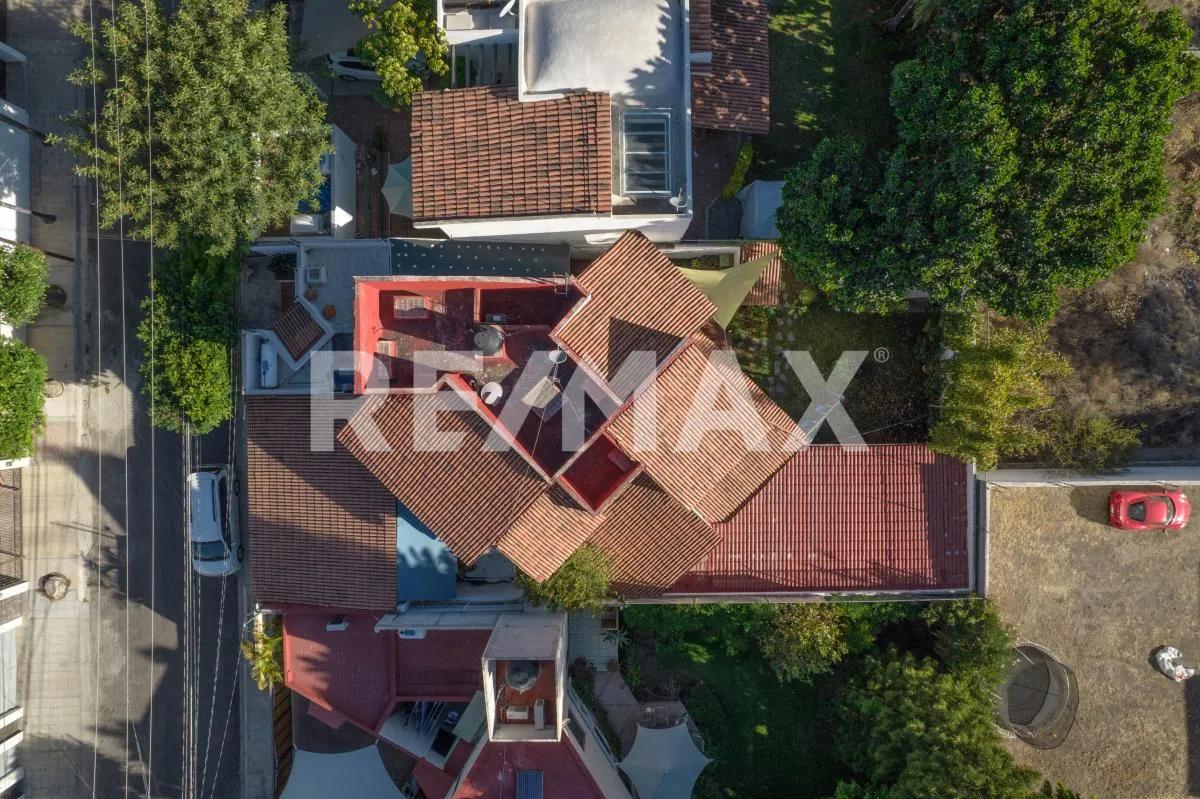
{"points": [[548, 533]]}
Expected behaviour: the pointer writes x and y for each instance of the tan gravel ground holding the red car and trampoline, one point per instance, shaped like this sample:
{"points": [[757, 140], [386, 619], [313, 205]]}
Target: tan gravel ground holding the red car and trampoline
{"points": [[1103, 600]]}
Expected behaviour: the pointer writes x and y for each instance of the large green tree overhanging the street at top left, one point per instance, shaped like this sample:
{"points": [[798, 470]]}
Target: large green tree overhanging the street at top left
{"points": [[236, 137]]}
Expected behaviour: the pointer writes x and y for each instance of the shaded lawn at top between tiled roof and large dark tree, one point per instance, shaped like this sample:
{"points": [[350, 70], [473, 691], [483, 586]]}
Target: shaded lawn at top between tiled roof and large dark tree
{"points": [[830, 71]]}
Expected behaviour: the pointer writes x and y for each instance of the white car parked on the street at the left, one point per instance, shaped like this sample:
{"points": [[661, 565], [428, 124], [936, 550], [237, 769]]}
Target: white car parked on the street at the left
{"points": [[213, 531]]}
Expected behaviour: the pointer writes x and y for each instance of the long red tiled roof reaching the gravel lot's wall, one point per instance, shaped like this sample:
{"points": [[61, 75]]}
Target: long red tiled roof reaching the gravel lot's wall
{"points": [[891, 519]]}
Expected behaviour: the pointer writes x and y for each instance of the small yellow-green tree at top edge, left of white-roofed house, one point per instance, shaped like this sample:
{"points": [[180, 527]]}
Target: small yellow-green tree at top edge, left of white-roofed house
{"points": [[406, 44]]}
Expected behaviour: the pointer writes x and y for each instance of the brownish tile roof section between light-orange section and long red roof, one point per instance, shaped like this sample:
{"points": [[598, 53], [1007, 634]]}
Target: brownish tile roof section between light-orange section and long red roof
{"points": [[652, 539]]}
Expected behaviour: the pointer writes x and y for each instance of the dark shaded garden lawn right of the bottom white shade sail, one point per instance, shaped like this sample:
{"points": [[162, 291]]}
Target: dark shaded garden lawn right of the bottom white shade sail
{"points": [[767, 740]]}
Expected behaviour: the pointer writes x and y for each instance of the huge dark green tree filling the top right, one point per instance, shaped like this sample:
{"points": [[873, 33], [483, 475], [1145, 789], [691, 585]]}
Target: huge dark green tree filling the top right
{"points": [[1029, 158]]}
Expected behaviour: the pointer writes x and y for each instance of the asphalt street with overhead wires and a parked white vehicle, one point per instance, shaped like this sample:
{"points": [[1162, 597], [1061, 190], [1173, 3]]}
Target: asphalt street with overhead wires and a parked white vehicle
{"points": [[167, 710]]}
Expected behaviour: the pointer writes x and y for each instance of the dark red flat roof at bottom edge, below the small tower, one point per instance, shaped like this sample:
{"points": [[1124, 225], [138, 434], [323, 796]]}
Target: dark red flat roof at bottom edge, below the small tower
{"points": [[495, 772]]}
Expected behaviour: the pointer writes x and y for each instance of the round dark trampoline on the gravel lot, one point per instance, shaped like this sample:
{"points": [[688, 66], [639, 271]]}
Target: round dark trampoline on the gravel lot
{"points": [[1039, 699]]}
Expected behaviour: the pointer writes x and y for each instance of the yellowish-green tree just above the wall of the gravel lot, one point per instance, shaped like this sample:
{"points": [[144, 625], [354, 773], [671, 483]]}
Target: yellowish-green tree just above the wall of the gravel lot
{"points": [[992, 385]]}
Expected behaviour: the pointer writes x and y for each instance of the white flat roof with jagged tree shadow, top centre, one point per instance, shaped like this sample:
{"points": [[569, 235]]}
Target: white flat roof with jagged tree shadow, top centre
{"points": [[631, 49]]}
